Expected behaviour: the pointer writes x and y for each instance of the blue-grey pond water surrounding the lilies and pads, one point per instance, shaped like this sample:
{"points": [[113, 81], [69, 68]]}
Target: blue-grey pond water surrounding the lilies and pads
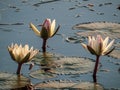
{"points": [[15, 17]]}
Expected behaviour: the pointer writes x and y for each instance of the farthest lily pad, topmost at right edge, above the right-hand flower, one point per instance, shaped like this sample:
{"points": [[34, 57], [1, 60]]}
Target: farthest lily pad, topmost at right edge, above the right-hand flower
{"points": [[113, 27]]}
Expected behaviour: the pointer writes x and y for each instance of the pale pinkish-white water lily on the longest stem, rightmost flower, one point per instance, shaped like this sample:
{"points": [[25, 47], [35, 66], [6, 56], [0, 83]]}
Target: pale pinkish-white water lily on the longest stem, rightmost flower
{"points": [[98, 46]]}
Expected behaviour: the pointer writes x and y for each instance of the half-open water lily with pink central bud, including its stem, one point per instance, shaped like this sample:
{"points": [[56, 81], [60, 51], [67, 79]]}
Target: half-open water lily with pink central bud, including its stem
{"points": [[47, 31]]}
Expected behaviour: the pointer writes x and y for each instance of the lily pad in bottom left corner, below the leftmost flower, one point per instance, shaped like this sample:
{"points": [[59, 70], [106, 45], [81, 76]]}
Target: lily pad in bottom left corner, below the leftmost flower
{"points": [[12, 81]]}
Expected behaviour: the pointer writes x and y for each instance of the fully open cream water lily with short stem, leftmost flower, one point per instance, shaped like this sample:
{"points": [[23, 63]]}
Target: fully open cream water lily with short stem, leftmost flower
{"points": [[21, 54]]}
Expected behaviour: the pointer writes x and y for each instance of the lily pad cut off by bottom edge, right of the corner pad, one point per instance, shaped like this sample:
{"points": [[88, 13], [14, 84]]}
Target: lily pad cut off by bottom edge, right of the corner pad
{"points": [[71, 85]]}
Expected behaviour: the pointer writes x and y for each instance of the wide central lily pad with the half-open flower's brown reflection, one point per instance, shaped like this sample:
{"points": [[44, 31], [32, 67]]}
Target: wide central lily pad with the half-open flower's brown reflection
{"points": [[64, 65]]}
